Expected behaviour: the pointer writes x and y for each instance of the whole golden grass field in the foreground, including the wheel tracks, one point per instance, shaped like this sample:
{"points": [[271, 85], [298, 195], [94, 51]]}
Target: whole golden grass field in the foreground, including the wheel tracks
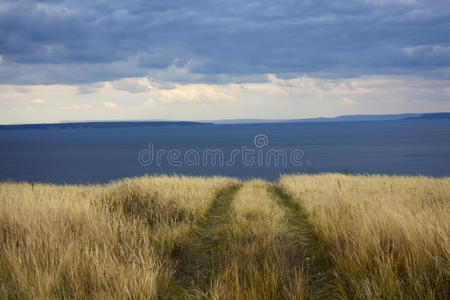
{"points": [[307, 237]]}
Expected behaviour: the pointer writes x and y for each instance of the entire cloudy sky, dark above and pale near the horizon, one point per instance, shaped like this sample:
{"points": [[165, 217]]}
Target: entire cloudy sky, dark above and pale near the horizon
{"points": [[206, 60]]}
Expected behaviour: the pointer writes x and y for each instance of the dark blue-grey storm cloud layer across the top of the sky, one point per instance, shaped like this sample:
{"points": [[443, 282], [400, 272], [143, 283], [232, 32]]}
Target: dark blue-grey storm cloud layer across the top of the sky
{"points": [[219, 41]]}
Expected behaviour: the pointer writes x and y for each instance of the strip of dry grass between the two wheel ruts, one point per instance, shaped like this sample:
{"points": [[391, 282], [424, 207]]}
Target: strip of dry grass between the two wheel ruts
{"points": [[259, 258]]}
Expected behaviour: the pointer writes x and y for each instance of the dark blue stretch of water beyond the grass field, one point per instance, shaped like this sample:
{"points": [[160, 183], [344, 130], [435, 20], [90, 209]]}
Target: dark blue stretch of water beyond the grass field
{"points": [[408, 147]]}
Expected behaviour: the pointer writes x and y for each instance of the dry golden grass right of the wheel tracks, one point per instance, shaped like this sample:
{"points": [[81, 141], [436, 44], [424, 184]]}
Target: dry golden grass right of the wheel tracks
{"points": [[384, 237]]}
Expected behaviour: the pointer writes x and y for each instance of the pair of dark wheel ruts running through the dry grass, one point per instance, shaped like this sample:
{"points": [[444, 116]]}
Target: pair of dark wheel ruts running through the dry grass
{"points": [[195, 267]]}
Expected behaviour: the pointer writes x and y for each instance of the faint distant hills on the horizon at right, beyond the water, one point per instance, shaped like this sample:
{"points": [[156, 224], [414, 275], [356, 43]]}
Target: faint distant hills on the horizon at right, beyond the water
{"points": [[345, 118]]}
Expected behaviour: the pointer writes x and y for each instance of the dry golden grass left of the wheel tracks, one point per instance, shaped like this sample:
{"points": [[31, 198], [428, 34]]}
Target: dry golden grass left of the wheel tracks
{"points": [[100, 242]]}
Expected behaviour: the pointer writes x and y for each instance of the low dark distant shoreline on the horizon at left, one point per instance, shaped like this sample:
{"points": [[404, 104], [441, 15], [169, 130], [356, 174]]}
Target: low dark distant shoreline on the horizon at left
{"points": [[76, 125]]}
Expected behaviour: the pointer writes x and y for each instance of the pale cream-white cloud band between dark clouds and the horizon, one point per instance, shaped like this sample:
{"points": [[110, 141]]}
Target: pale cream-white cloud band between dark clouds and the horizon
{"points": [[278, 97]]}
